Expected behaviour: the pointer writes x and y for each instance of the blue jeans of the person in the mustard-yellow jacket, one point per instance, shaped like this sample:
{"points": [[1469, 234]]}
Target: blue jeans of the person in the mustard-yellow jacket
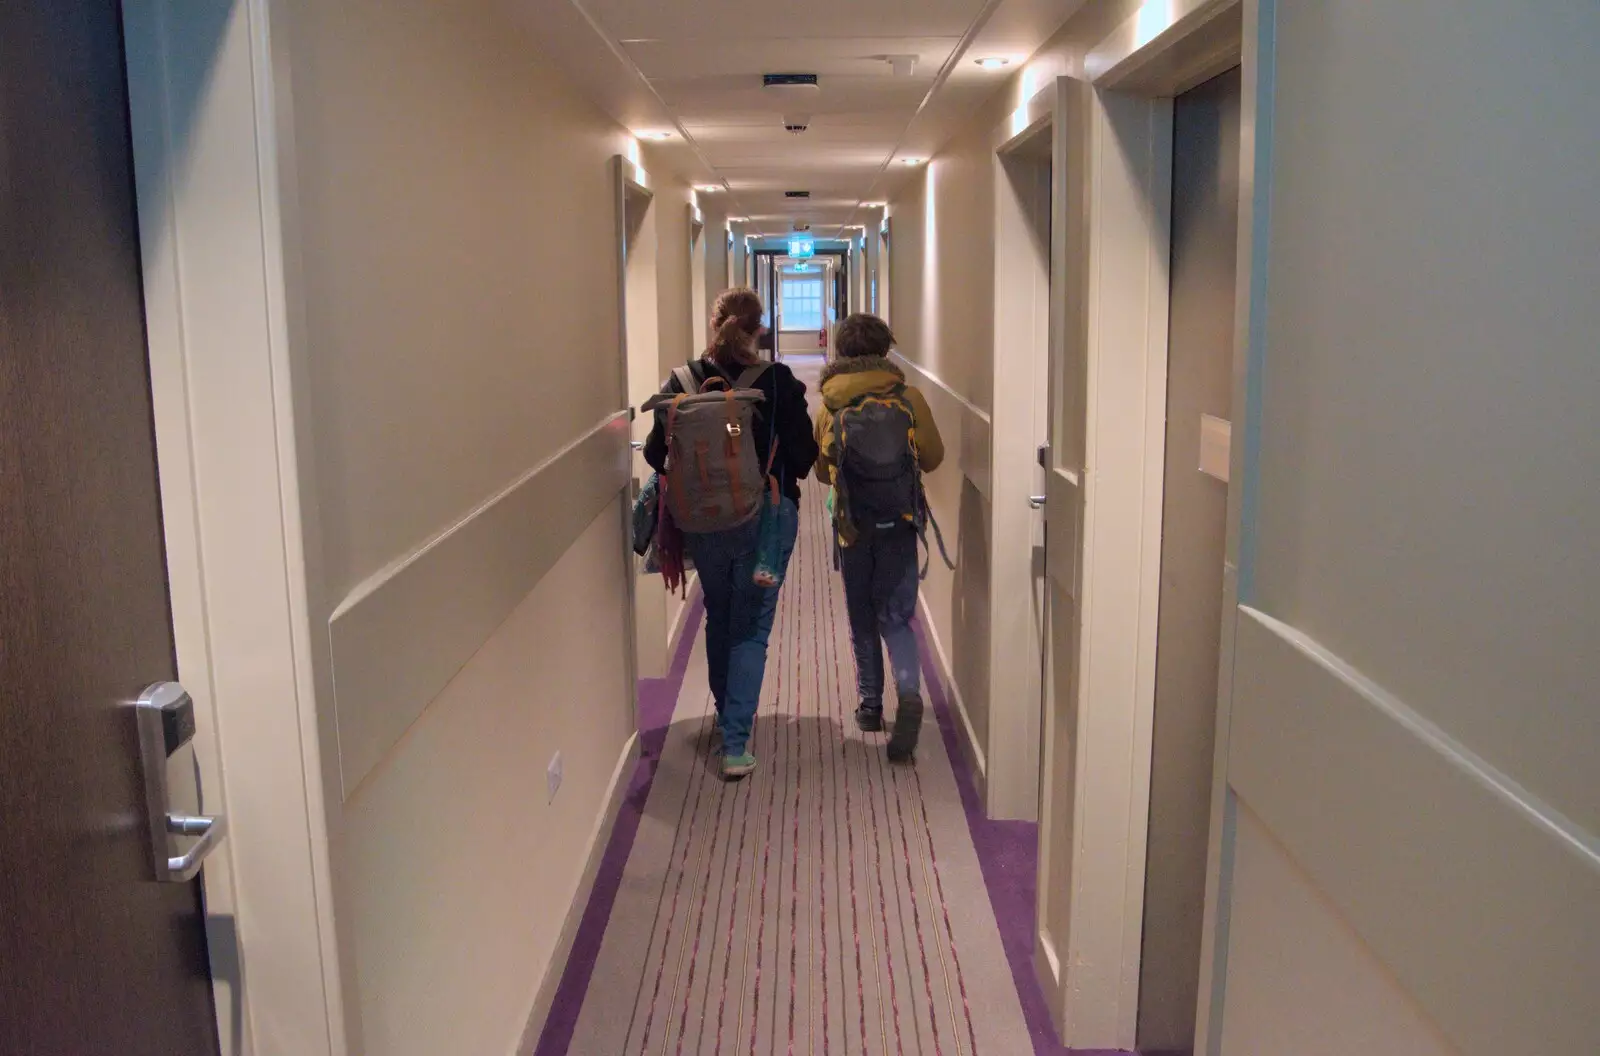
{"points": [[881, 596]]}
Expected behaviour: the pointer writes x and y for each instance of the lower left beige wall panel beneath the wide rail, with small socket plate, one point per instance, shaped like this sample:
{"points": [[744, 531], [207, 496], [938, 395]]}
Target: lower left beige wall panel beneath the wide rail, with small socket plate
{"points": [[457, 897]]}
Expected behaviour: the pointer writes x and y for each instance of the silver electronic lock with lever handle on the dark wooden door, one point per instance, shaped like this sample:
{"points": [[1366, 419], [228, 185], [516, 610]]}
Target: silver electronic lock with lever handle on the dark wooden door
{"points": [[167, 722]]}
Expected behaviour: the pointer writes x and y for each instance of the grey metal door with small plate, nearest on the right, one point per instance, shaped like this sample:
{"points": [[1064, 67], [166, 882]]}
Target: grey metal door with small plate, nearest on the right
{"points": [[1194, 524]]}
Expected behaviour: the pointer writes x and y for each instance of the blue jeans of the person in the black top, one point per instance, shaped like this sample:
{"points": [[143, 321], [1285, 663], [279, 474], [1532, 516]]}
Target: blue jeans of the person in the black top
{"points": [[738, 618]]}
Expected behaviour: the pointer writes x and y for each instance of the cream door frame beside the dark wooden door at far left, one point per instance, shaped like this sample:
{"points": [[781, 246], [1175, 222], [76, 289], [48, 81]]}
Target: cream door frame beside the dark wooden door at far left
{"points": [[222, 324]]}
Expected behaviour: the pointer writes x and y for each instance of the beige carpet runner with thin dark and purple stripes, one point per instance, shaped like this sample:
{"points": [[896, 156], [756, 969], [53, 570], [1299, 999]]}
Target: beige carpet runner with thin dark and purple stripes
{"points": [[833, 903]]}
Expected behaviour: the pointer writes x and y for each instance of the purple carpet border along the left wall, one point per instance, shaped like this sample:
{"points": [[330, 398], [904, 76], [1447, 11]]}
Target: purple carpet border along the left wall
{"points": [[658, 700]]}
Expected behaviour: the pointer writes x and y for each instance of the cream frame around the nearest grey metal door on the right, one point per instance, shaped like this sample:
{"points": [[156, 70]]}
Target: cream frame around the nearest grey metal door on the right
{"points": [[1114, 241]]}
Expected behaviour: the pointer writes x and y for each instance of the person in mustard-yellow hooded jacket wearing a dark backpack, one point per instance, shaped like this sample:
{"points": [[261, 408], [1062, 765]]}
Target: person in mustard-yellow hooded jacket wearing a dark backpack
{"points": [[878, 438]]}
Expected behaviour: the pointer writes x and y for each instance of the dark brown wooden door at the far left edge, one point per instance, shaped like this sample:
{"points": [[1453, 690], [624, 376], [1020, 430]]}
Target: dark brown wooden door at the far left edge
{"points": [[95, 954]]}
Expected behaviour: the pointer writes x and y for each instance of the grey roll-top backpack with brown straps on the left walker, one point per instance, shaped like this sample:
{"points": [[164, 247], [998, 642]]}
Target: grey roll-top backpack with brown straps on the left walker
{"points": [[714, 476]]}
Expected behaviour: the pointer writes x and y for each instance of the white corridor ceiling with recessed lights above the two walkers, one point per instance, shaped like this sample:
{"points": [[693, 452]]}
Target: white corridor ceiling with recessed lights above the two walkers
{"points": [[694, 68]]}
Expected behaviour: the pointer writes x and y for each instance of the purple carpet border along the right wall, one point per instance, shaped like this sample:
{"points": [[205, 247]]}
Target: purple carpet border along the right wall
{"points": [[1009, 857]]}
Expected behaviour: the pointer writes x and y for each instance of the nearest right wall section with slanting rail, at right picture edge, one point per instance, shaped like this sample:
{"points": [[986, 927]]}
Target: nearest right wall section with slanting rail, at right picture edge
{"points": [[1414, 714]]}
